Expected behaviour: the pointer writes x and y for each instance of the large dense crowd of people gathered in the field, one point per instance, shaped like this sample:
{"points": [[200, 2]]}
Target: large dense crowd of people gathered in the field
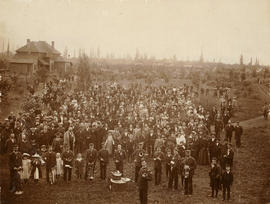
{"points": [[71, 129]]}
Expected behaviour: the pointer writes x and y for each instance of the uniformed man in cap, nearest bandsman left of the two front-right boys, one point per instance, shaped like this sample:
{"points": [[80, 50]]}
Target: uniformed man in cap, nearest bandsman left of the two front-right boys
{"points": [[191, 165]]}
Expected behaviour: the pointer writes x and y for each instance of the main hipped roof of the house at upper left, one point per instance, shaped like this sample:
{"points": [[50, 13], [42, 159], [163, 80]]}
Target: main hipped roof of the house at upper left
{"points": [[38, 46]]}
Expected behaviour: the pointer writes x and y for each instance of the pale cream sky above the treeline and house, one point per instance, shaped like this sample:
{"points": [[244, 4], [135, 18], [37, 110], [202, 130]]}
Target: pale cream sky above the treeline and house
{"points": [[221, 29]]}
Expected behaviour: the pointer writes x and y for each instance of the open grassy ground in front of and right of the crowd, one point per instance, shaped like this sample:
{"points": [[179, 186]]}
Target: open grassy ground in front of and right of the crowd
{"points": [[251, 185]]}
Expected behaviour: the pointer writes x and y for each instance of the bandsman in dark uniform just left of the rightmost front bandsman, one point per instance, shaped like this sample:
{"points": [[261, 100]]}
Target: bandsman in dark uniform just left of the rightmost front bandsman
{"points": [[174, 170]]}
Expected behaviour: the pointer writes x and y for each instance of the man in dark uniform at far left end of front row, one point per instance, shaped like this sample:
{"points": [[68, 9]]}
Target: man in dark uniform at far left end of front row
{"points": [[15, 164]]}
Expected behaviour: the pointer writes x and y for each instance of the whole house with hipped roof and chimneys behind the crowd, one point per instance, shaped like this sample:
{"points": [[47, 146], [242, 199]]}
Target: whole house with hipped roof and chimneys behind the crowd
{"points": [[38, 54]]}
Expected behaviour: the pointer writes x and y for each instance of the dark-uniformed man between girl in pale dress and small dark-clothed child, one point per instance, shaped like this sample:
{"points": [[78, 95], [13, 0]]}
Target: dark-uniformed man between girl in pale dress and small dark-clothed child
{"points": [[67, 157]]}
